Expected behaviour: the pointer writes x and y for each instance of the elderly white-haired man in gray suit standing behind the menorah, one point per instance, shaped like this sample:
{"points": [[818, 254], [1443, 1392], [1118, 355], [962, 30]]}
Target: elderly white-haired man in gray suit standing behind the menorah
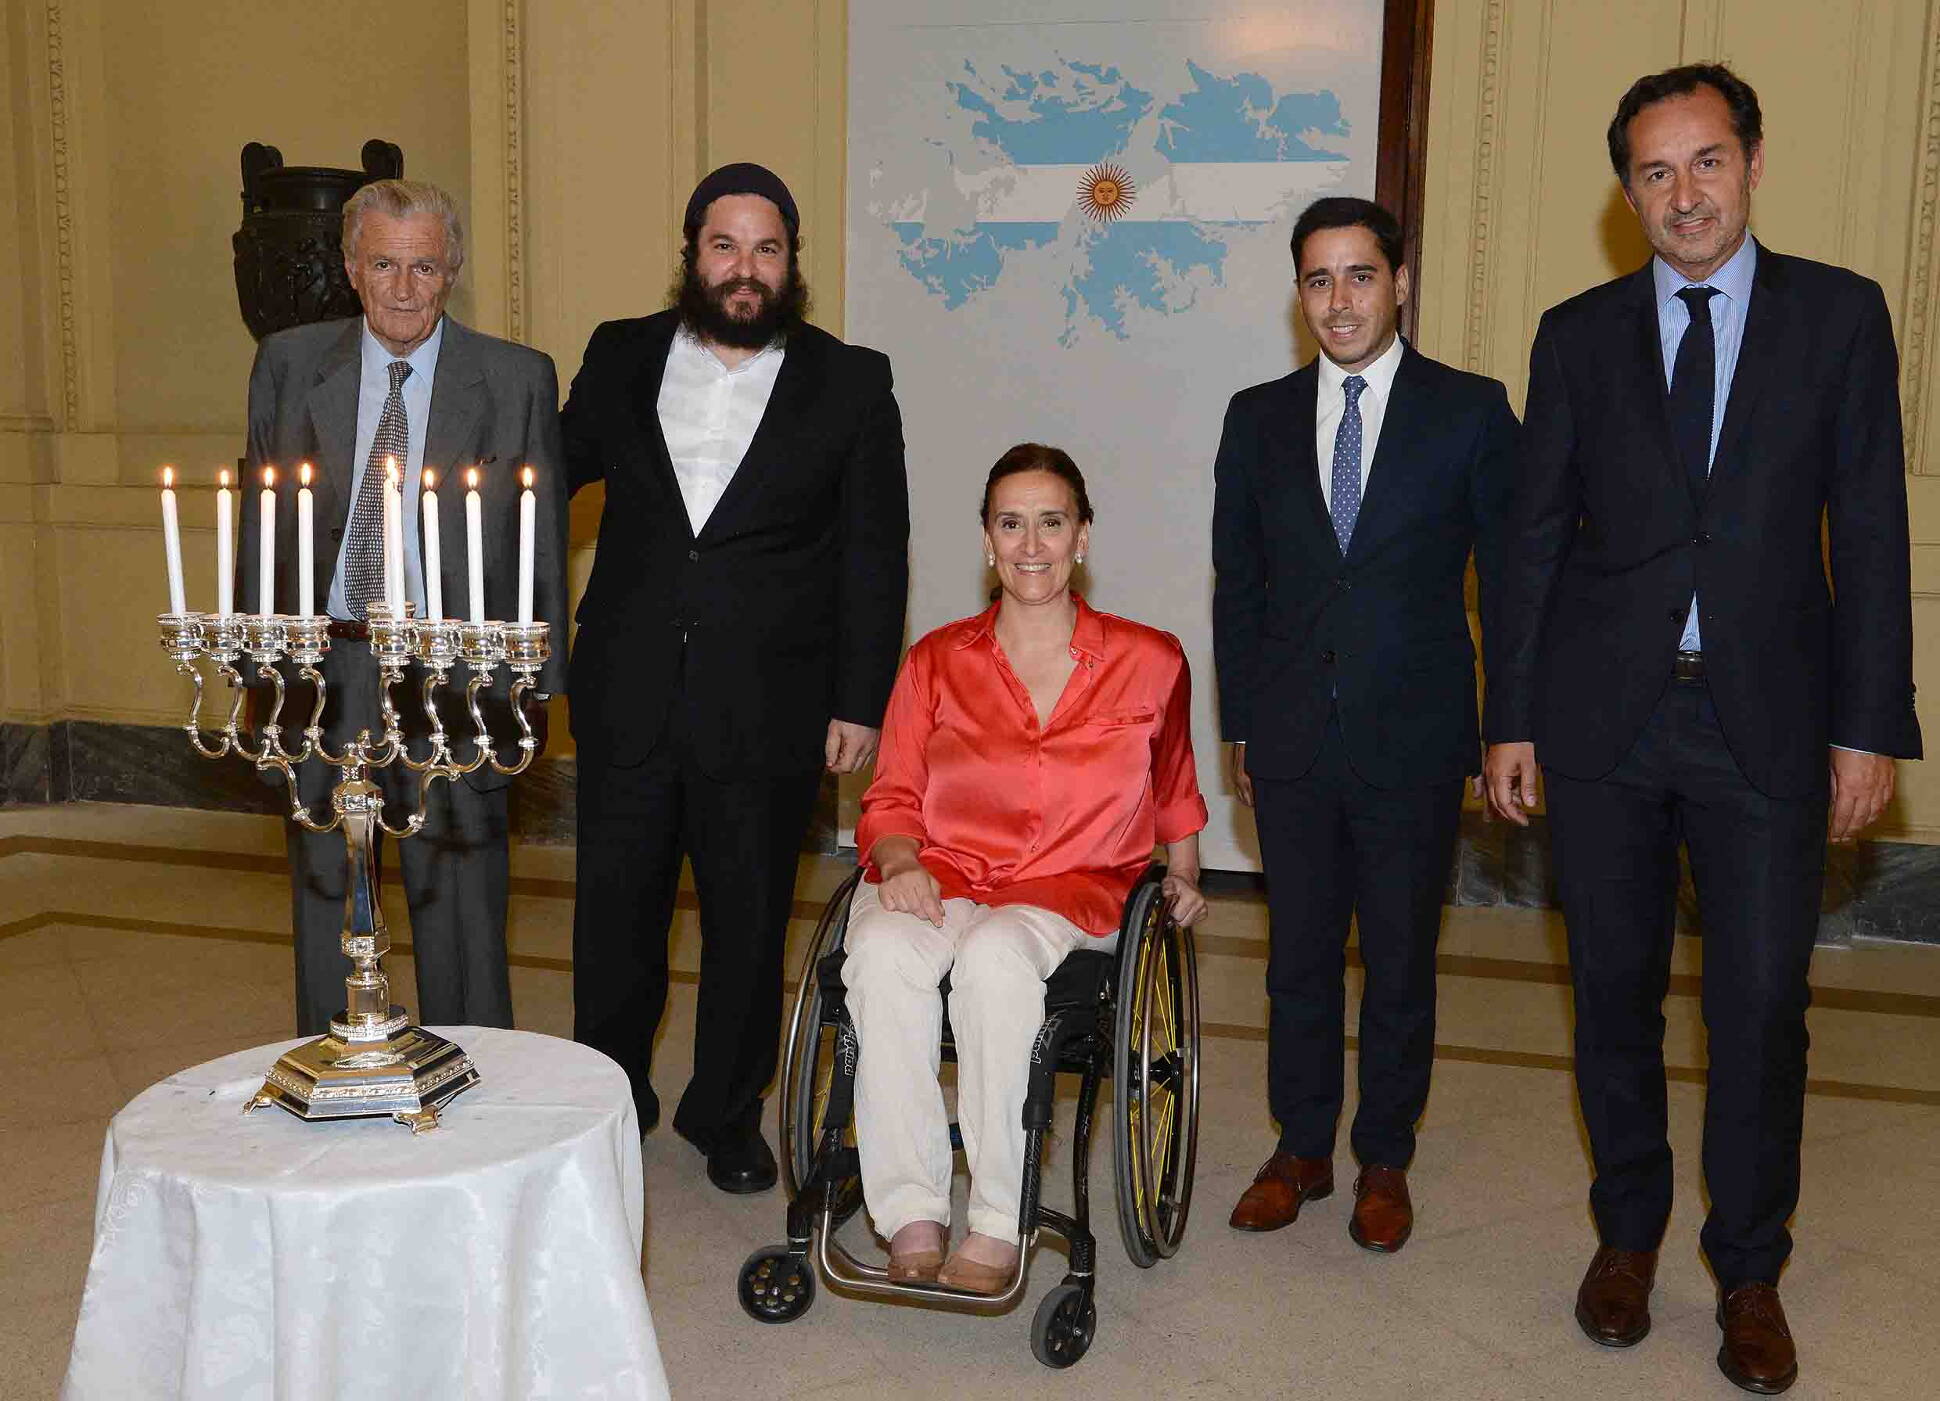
{"points": [[406, 381]]}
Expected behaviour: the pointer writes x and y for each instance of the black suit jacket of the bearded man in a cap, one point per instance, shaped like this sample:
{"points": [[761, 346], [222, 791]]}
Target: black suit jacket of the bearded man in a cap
{"points": [[791, 599]]}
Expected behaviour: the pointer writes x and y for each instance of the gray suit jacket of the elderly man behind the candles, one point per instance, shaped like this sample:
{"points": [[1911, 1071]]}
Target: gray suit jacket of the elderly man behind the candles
{"points": [[494, 405]]}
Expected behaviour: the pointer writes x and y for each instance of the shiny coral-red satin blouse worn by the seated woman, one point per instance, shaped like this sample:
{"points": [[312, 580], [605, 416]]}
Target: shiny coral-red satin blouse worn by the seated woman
{"points": [[1060, 818]]}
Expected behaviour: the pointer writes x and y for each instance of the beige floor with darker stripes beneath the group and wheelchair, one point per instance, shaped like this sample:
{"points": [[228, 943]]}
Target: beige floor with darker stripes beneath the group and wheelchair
{"points": [[137, 942]]}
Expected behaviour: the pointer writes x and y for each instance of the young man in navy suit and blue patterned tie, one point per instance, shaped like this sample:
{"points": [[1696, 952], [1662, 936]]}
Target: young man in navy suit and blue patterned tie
{"points": [[1347, 505]]}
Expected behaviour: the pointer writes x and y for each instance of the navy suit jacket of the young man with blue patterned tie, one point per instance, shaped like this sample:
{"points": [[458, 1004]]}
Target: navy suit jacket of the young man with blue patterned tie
{"points": [[1382, 632]]}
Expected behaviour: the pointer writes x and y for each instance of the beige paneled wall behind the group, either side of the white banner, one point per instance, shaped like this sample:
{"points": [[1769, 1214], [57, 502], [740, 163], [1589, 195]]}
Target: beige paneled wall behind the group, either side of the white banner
{"points": [[577, 127]]}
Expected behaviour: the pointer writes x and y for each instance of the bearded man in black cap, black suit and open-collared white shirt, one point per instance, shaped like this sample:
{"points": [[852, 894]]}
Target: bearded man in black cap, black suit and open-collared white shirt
{"points": [[740, 635]]}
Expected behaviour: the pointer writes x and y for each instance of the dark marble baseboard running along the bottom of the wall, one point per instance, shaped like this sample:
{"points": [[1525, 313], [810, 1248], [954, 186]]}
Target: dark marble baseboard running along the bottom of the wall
{"points": [[1873, 890]]}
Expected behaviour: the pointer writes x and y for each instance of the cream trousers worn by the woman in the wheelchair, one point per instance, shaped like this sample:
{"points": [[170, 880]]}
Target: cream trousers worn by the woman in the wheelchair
{"points": [[998, 961]]}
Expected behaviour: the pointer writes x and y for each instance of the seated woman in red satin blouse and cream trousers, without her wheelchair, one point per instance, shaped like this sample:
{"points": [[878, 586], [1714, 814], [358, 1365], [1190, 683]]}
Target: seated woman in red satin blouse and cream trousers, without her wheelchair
{"points": [[1031, 760]]}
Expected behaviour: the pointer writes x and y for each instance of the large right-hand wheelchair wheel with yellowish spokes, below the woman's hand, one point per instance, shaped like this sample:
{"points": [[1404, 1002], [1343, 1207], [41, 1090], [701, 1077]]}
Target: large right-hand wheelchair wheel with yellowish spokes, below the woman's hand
{"points": [[1155, 1064]]}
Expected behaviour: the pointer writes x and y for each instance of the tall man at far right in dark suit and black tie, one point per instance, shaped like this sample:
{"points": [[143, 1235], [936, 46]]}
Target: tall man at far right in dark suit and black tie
{"points": [[1673, 657]]}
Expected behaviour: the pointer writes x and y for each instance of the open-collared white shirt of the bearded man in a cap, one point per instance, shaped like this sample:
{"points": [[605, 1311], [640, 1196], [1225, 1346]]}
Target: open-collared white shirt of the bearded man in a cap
{"points": [[709, 416]]}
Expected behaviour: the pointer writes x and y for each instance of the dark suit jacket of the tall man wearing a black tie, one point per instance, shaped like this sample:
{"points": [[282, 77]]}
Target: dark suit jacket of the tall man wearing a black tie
{"points": [[1611, 538]]}
